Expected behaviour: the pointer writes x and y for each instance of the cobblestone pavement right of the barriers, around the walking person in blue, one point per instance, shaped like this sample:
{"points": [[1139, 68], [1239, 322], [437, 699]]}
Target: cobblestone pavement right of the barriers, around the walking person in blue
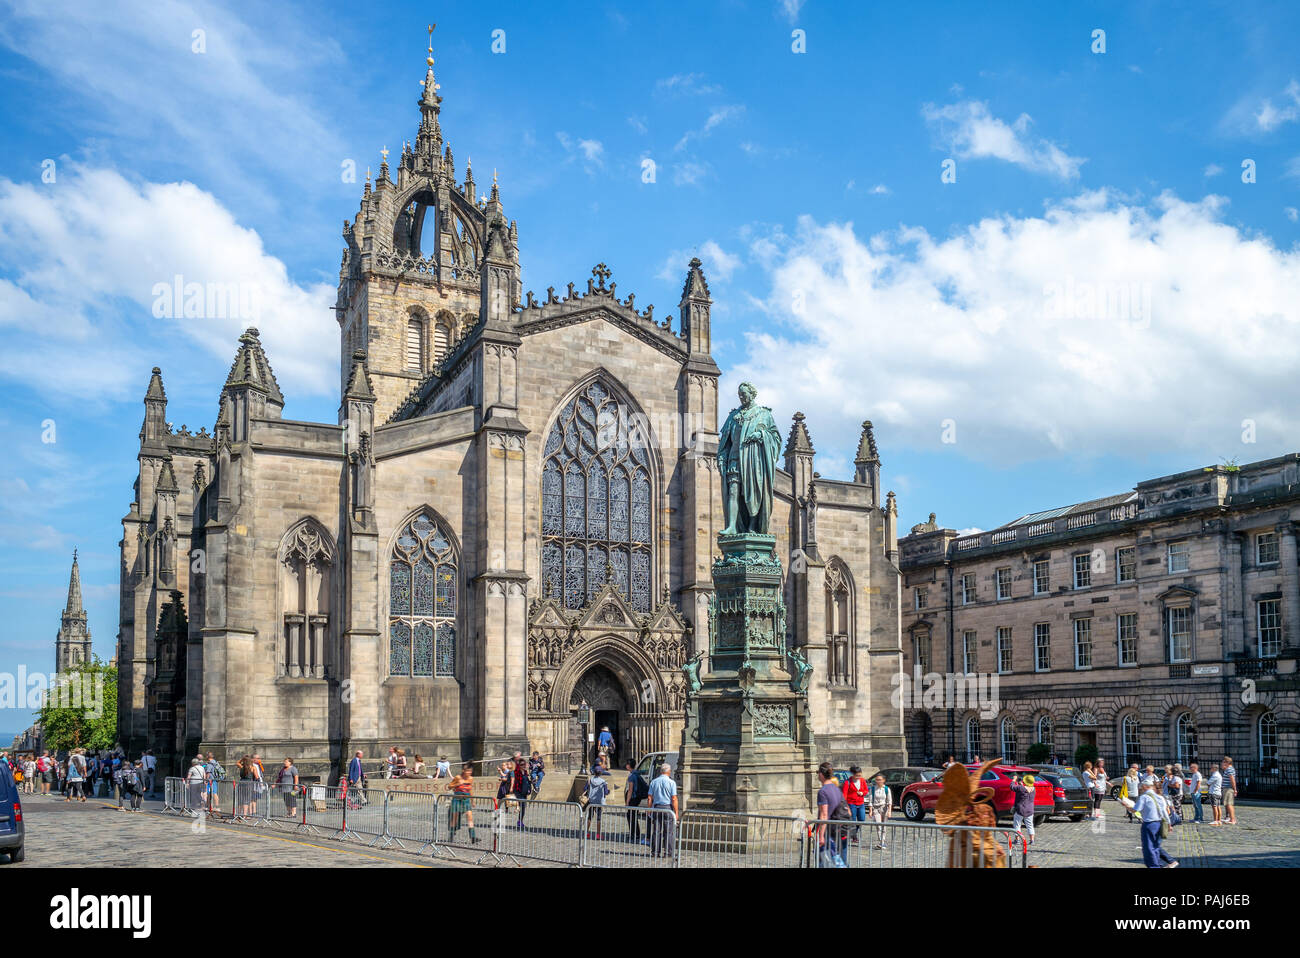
{"points": [[1268, 836]]}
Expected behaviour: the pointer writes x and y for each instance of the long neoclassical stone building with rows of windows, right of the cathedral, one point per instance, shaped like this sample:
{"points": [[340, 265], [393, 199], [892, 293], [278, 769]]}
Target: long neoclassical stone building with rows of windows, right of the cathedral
{"points": [[1160, 625]]}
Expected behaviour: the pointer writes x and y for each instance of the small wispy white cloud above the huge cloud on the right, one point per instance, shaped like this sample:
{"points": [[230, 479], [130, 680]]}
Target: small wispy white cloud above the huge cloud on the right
{"points": [[970, 132]]}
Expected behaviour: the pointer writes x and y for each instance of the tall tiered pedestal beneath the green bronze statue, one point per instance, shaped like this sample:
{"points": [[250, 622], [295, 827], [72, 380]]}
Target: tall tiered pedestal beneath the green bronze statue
{"points": [[748, 745]]}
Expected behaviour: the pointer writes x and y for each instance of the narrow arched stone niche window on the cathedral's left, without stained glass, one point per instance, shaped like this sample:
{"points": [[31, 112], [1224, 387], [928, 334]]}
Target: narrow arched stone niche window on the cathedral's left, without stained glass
{"points": [[306, 562]]}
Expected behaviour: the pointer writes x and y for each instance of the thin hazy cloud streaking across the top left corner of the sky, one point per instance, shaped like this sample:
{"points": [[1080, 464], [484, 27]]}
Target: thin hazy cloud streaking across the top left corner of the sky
{"points": [[246, 102]]}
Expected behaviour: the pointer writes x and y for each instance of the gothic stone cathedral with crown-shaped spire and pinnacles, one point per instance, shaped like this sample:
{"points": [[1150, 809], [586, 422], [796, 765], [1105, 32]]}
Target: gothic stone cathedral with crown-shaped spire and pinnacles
{"points": [[515, 513]]}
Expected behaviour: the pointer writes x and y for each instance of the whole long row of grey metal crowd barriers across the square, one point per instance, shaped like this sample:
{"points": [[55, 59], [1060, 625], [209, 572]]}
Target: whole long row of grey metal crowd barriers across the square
{"points": [[480, 829]]}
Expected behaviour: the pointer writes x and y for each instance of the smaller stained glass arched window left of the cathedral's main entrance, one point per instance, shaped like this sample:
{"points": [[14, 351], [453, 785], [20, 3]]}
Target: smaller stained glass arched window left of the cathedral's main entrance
{"points": [[423, 586]]}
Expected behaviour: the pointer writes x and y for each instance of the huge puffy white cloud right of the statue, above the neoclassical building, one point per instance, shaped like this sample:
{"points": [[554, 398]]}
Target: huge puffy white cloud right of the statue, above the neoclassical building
{"points": [[1099, 327]]}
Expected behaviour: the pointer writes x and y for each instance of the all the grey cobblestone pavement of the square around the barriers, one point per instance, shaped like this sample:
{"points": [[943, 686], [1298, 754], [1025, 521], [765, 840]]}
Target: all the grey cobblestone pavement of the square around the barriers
{"points": [[97, 834]]}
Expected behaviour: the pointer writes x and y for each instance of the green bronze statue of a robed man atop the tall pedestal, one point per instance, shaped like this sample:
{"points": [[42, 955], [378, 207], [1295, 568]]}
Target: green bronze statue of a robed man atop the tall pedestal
{"points": [[747, 458]]}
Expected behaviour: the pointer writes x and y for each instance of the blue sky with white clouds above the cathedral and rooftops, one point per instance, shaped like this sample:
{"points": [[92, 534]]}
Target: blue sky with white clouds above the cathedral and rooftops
{"points": [[1099, 298]]}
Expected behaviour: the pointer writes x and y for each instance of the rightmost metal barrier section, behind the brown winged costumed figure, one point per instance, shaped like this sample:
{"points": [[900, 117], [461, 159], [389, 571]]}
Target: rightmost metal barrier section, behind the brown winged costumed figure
{"points": [[913, 846]]}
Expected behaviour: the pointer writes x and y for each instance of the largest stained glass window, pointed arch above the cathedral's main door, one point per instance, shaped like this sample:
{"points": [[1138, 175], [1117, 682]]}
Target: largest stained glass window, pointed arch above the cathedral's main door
{"points": [[597, 515]]}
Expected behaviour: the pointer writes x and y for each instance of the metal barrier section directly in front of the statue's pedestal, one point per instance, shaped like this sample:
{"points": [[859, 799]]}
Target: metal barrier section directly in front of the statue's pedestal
{"points": [[729, 840]]}
